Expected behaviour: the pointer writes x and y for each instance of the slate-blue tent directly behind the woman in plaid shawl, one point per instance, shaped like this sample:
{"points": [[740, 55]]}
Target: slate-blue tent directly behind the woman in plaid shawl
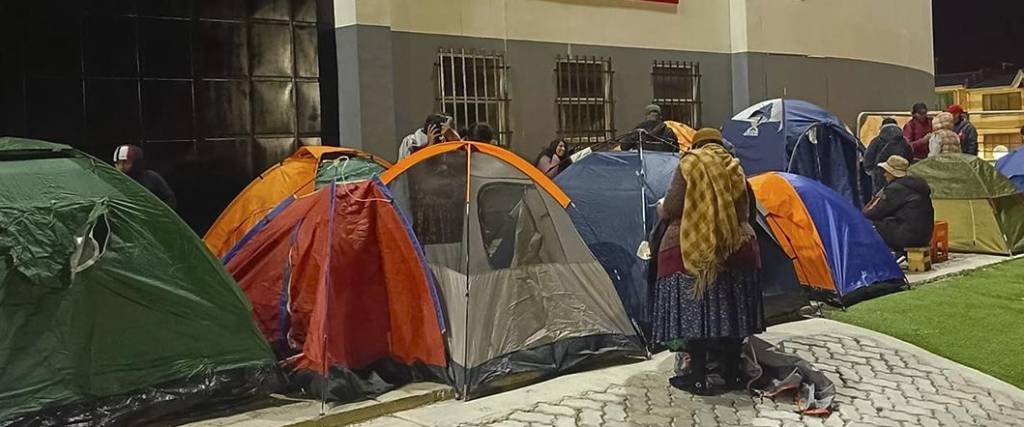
{"points": [[615, 195]]}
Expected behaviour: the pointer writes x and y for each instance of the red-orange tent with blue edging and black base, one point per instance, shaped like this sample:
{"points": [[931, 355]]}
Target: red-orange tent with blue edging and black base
{"points": [[340, 289]]}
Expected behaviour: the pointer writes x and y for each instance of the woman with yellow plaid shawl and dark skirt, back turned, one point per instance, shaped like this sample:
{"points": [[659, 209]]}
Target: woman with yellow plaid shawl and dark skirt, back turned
{"points": [[707, 296]]}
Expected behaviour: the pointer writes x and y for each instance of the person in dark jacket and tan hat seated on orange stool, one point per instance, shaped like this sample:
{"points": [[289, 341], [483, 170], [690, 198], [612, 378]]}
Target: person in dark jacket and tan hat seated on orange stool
{"points": [[903, 211]]}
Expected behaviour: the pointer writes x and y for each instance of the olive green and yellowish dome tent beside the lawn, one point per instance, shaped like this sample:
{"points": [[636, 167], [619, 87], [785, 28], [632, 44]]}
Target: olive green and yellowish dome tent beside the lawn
{"points": [[985, 210]]}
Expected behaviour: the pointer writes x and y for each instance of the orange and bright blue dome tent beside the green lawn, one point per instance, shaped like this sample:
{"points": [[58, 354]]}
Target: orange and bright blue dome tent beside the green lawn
{"points": [[836, 251]]}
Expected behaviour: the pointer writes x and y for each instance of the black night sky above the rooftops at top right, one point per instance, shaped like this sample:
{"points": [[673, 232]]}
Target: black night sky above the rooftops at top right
{"points": [[977, 34]]}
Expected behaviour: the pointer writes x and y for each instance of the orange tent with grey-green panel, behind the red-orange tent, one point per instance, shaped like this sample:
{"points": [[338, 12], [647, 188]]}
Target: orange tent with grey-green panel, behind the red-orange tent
{"points": [[310, 168]]}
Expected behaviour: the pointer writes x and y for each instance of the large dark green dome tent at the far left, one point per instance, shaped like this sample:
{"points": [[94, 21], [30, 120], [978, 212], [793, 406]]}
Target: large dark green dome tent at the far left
{"points": [[112, 311]]}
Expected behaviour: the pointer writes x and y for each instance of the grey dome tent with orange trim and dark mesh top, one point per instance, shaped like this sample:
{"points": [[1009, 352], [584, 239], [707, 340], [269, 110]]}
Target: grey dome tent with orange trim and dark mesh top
{"points": [[524, 296]]}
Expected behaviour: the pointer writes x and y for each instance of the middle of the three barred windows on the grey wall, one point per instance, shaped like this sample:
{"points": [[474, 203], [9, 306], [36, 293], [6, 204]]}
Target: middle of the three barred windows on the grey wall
{"points": [[584, 99]]}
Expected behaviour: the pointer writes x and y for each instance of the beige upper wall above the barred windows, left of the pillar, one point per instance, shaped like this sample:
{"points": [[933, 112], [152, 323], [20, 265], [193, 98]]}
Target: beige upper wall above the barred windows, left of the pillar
{"points": [[694, 25]]}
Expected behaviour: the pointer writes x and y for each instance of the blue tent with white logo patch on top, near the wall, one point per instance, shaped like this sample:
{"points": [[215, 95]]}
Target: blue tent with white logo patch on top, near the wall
{"points": [[799, 138]]}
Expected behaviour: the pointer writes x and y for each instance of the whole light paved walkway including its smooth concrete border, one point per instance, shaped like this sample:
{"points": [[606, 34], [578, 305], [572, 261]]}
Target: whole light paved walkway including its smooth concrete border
{"points": [[881, 382]]}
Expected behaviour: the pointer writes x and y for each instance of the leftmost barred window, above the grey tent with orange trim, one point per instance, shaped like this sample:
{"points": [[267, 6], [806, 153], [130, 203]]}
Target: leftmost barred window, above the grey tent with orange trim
{"points": [[473, 88]]}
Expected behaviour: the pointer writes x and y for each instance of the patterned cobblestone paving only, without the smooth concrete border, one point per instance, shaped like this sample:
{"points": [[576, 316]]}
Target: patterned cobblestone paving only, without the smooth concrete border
{"points": [[877, 387]]}
